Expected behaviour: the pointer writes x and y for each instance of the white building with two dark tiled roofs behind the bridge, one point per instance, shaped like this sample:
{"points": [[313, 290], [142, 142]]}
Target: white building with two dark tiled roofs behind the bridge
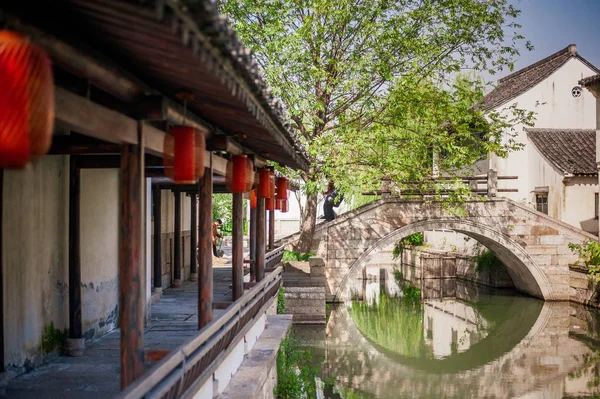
{"points": [[557, 168]]}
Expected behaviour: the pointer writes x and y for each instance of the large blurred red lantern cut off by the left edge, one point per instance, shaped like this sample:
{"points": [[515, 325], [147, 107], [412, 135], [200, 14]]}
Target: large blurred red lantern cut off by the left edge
{"points": [[26, 101]]}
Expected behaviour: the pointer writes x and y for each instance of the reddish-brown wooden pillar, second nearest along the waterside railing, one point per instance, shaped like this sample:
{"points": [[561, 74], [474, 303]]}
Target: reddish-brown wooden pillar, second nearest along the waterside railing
{"points": [[205, 272]]}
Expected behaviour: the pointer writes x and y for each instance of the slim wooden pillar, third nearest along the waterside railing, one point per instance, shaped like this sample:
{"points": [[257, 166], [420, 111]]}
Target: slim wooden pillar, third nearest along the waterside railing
{"points": [[238, 246]]}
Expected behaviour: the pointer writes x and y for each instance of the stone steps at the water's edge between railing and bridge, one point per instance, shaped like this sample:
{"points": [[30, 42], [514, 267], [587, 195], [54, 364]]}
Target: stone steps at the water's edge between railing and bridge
{"points": [[304, 289]]}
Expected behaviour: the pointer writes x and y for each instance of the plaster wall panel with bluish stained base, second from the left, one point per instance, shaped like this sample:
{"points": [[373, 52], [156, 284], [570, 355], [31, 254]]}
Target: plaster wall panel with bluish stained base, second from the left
{"points": [[99, 229]]}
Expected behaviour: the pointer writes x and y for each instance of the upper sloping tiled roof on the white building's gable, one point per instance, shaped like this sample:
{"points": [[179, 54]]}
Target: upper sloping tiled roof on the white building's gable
{"points": [[521, 81]]}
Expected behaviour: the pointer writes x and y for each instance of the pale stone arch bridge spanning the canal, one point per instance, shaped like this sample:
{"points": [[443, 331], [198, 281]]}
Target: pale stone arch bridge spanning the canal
{"points": [[532, 245]]}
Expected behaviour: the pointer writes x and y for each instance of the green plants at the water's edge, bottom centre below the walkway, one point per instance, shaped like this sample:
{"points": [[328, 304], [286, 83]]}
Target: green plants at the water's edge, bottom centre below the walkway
{"points": [[295, 372]]}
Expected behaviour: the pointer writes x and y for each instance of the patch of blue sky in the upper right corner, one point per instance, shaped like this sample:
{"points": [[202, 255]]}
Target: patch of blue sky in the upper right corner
{"points": [[552, 25]]}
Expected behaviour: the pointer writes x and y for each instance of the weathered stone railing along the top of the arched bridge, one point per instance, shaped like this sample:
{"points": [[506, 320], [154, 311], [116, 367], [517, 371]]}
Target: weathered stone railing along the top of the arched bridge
{"points": [[481, 185]]}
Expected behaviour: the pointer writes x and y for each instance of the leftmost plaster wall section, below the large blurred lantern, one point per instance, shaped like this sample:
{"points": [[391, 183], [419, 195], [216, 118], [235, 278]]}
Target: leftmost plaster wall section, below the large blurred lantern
{"points": [[35, 257]]}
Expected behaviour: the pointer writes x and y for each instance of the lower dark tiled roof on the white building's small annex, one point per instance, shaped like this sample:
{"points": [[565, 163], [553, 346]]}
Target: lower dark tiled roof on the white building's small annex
{"points": [[569, 150]]}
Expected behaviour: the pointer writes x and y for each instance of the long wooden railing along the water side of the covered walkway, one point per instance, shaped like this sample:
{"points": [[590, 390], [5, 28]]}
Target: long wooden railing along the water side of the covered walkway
{"points": [[186, 369]]}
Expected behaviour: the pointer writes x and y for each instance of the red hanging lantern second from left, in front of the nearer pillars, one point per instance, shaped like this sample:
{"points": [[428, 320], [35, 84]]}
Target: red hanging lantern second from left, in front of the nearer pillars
{"points": [[184, 154]]}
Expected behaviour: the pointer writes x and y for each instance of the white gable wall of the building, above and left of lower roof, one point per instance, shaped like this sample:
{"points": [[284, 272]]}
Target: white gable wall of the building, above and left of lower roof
{"points": [[557, 109]]}
